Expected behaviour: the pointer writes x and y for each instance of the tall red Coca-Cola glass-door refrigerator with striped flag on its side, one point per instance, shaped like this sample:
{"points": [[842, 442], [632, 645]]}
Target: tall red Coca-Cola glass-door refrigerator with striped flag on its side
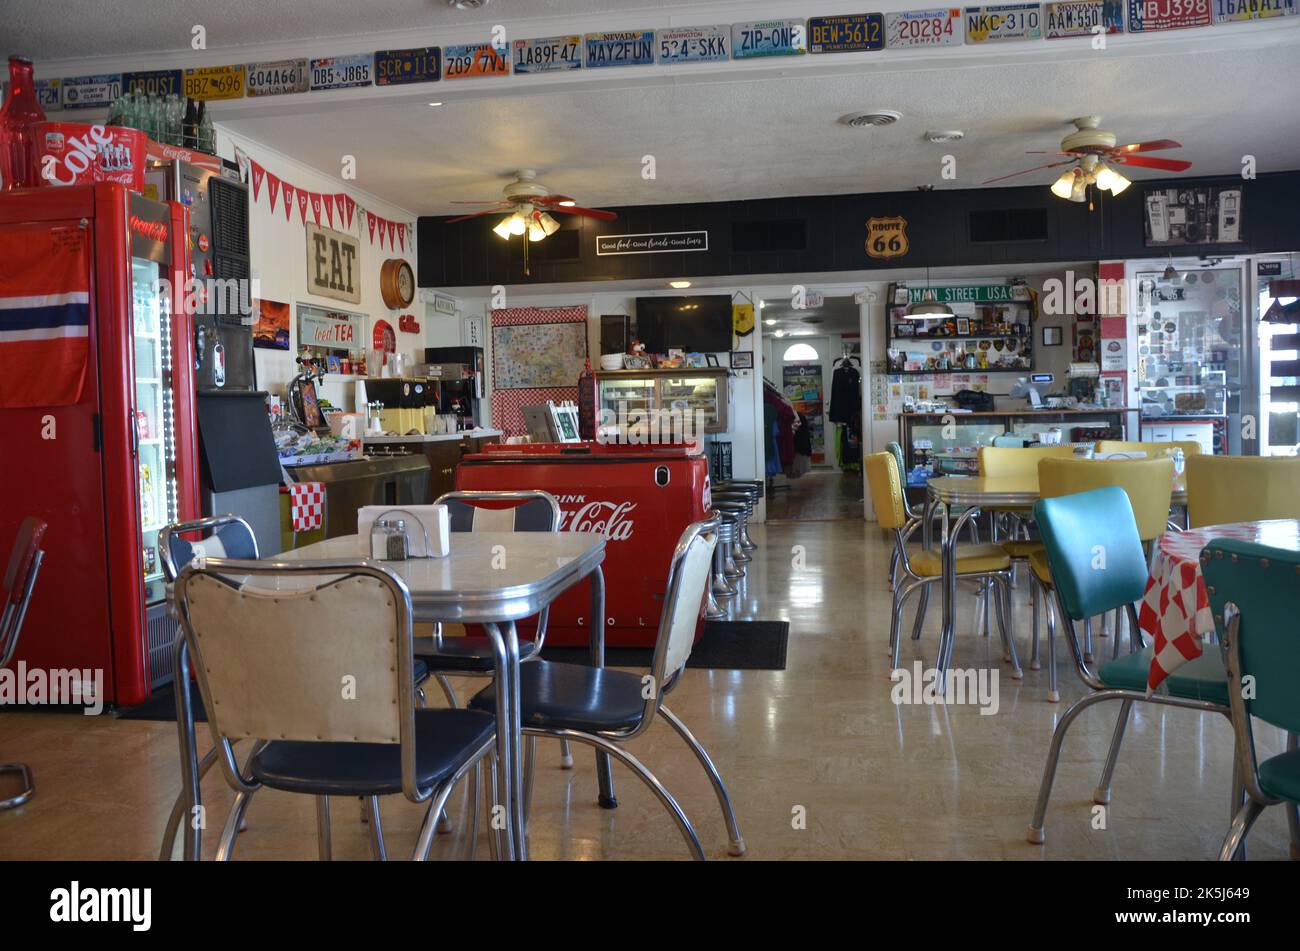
{"points": [[97, 422]]}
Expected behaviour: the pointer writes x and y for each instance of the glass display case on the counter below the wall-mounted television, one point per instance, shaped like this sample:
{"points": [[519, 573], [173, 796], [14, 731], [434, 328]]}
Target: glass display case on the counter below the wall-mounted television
{"points": [[696, 393]]}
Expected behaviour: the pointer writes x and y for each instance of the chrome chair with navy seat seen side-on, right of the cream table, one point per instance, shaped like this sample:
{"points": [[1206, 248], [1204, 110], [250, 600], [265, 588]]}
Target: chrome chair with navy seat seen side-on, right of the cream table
{"points": [[606, 709]]}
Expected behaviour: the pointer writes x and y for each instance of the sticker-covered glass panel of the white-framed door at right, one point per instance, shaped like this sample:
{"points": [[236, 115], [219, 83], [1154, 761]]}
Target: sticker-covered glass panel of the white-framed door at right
{"points": [[1190, 336]]}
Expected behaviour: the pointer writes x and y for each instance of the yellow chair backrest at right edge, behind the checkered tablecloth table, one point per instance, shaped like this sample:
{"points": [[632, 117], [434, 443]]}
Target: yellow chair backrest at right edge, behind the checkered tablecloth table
{"points": [[1242, 489]]}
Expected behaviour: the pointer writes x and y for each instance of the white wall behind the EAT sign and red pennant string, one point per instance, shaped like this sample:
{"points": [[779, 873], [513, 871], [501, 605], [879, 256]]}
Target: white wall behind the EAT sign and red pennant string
{"points": [[279, 262]]}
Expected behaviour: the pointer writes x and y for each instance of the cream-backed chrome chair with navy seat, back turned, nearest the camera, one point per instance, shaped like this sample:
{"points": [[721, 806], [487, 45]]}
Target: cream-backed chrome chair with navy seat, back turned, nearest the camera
{"points": [[313, 661]]}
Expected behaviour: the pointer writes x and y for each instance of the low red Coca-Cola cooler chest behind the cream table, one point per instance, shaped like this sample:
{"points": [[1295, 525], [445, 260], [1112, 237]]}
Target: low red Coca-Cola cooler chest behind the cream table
{"points": [[642, 498]]}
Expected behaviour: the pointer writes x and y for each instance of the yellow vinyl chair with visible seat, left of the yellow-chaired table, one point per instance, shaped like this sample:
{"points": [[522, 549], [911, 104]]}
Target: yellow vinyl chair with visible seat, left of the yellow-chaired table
{"points": [[982, 563]]}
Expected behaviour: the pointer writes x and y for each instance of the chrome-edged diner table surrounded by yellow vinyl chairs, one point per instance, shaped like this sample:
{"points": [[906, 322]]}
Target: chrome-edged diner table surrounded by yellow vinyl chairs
{"points": [[974, 496]]}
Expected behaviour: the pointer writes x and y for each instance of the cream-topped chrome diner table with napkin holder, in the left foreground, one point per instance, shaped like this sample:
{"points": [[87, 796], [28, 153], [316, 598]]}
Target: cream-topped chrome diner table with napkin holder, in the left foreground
{"points": [[491, 579]]}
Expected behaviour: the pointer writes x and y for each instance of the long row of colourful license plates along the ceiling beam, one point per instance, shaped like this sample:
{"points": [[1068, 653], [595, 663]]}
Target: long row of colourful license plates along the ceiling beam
{"points": [[838, 34]]}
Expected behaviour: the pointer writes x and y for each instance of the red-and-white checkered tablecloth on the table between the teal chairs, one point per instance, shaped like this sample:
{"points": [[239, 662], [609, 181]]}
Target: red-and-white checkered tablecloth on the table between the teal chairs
{"points": [[1176, 609]]}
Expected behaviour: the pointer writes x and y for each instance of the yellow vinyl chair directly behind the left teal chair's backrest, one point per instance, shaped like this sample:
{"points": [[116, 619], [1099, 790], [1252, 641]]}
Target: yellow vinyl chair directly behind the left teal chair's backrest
{"points": [[1147, 483]]}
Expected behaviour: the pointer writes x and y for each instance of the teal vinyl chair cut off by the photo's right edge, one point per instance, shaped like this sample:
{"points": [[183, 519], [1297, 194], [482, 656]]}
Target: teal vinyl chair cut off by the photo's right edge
{"points": [[1255, 596]]}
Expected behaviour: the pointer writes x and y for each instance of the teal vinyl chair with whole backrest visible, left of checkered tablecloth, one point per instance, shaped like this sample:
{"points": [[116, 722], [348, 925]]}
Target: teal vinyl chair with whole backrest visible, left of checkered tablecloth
{"points": [[1098, 566]]}
